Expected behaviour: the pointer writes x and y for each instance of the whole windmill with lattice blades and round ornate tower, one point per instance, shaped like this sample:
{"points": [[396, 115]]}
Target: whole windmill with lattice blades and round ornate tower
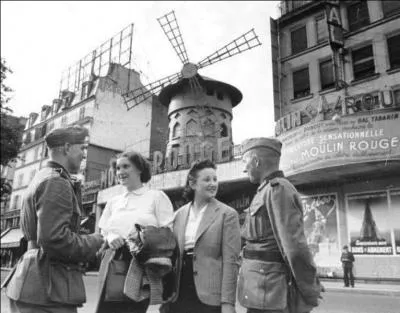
{"points": [[199, 120]]}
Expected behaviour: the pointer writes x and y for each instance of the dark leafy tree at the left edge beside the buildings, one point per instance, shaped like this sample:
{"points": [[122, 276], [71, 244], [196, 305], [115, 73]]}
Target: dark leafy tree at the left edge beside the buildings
{"points": [[11, 126]]}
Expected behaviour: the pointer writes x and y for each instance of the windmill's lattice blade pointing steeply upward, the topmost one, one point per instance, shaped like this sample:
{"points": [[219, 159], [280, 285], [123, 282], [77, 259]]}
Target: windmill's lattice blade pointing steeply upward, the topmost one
{"points": [[170, 26]]}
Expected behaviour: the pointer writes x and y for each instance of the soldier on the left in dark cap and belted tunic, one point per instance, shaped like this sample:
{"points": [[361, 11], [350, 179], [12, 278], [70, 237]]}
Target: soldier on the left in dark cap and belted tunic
{"points": [[48, 278]]}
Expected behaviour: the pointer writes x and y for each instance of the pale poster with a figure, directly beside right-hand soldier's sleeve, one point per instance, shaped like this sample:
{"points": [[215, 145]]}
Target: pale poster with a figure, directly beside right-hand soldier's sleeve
{"points": [[321, 229]]}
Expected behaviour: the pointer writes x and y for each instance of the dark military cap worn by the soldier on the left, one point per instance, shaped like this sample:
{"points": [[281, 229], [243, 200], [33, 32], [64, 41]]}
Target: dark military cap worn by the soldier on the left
{"points": [[71, 134]]}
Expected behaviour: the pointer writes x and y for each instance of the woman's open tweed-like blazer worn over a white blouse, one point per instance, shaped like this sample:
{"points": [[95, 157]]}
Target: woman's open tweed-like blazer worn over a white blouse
{"points": [[216, 252]]}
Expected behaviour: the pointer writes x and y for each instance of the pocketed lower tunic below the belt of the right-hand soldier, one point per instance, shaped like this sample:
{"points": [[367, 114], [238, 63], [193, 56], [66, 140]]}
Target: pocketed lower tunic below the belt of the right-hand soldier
{"points": [[262, 285]]}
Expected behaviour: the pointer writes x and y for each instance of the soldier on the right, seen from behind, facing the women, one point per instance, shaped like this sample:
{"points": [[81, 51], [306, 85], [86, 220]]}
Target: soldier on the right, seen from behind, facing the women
{"points": [[275, 250]]}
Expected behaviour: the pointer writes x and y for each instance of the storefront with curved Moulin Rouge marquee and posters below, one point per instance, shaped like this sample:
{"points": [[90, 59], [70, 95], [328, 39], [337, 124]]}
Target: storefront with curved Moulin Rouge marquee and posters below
{"points": [[348, 173]]}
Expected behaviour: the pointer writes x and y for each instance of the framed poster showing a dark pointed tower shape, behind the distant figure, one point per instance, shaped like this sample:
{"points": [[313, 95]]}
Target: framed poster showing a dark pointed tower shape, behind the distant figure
{"points": [[369, 224]]}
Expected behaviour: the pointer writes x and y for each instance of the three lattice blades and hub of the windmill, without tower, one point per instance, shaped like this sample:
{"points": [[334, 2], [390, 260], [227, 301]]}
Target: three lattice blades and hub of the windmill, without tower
{"points": [[189, 71]]}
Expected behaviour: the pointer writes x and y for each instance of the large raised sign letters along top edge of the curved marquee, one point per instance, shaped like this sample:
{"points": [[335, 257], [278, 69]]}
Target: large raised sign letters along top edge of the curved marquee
{"points": [[366, 102]]}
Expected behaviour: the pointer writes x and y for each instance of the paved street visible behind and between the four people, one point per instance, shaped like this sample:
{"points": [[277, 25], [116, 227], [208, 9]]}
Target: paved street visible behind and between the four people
{"points": [[334, 302]]}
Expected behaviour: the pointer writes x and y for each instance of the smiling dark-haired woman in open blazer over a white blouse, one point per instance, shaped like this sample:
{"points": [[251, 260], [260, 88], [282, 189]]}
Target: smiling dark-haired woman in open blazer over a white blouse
{"points": [[208, 236]]}
